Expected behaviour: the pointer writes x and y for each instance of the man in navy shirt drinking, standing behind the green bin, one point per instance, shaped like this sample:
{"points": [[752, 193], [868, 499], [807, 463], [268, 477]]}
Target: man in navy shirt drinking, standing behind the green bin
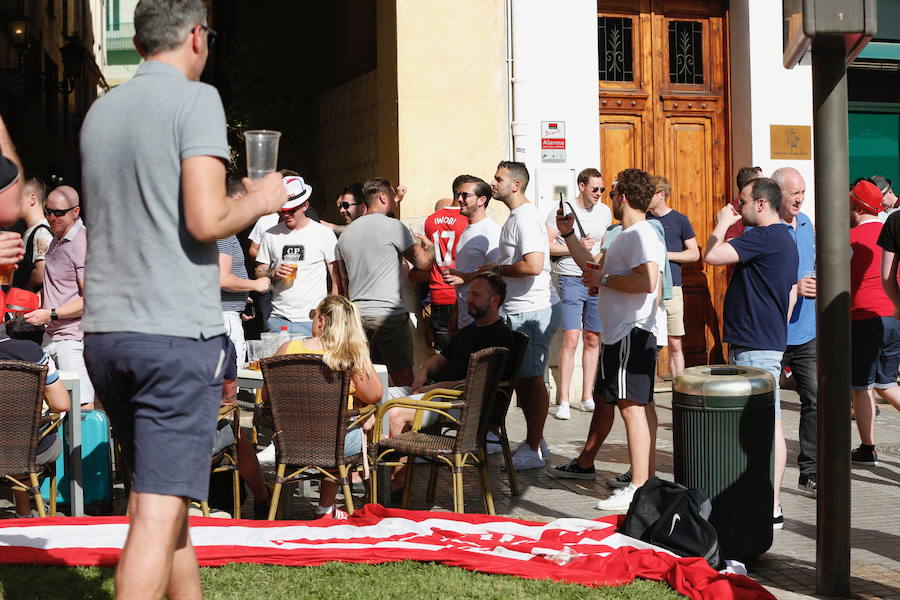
{"points": [[760, 294]]}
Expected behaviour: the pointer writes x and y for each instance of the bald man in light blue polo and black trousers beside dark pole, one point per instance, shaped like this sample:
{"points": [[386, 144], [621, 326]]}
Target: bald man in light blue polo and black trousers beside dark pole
{"points": [[800, 354]]}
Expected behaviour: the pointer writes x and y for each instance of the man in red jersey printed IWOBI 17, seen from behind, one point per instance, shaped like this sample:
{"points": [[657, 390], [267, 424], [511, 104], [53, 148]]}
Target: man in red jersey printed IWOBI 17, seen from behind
{"points": [[444, 228]]}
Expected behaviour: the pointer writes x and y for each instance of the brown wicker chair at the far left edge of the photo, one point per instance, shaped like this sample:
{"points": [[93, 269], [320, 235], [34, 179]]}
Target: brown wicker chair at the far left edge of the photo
{"points": [[21, 402]]}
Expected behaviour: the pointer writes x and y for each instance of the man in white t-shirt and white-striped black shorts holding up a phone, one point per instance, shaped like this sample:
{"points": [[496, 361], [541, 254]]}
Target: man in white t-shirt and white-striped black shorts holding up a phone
{"points": [[629, 298]]}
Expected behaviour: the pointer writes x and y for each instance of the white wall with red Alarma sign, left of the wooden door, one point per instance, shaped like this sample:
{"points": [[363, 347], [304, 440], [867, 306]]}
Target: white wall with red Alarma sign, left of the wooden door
{"points": [[555, 54]]}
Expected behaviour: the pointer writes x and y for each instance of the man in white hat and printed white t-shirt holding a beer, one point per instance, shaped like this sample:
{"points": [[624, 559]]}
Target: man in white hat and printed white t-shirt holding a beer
{"points": [[298, 255]]}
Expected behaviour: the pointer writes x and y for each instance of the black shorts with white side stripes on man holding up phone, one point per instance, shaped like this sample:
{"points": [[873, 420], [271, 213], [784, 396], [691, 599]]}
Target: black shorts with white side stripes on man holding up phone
{"points": [[628, 369]]}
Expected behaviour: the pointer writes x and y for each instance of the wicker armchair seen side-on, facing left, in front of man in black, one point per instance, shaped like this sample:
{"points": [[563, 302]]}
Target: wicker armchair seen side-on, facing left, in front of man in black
{"points": [[454, 452]]}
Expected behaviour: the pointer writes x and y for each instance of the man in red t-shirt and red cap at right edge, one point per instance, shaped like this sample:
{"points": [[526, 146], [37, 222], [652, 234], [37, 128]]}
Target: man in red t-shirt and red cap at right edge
{"points": [[875, 333]]}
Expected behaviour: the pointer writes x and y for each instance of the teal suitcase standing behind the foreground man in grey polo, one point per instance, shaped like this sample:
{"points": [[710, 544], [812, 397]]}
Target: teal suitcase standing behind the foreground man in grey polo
{"points": [[96, 457]]}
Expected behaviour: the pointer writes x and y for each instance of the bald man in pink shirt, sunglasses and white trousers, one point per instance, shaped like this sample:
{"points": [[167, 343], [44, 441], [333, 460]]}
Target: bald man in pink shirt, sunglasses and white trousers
{"points": [[62, 301]]}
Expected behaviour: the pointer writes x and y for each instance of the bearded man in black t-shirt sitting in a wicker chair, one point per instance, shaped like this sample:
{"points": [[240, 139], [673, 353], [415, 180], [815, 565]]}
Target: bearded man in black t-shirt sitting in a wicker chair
{"points": [[446, 370]]}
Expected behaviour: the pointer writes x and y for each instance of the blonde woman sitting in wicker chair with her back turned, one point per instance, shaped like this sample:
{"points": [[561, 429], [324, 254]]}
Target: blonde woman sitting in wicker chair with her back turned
{"points": [[339, 337]]}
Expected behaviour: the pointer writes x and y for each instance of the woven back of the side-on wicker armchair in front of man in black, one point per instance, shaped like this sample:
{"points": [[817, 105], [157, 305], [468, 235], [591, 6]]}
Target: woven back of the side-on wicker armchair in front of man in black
{"points": [[482, 380]]}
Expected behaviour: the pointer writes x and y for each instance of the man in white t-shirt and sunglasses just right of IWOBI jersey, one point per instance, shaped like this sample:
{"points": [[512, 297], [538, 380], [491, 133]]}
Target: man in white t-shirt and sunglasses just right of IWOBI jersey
{"points": [[477, 245]]}
